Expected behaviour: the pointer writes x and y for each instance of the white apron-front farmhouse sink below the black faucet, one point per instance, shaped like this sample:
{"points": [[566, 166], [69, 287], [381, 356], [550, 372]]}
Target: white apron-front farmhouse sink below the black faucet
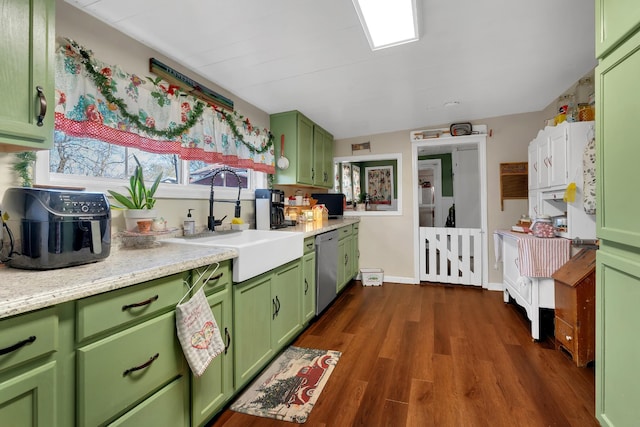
{"points": [[258, 250]]}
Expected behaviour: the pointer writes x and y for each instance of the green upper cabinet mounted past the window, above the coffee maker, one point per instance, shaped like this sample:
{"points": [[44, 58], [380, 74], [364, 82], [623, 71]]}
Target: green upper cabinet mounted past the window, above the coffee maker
{"points": [[308, 148]]}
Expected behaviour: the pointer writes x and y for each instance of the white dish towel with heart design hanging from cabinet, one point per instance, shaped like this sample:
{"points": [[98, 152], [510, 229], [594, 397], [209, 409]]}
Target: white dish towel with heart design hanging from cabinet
{"points": [[198, 332]]}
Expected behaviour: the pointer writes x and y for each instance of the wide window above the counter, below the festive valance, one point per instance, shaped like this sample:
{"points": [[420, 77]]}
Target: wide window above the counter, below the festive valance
{"points": [[99, 166]]}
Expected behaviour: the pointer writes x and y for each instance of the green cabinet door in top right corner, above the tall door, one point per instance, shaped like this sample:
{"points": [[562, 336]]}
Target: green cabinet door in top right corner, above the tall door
{"points": [[615, 21]]}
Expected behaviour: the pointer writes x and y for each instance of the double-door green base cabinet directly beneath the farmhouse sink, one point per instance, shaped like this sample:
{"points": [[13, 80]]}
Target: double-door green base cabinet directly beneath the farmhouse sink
{"points": [[267, 315]]}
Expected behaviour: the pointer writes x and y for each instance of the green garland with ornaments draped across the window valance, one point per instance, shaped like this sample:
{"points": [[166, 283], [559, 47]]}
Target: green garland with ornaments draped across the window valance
{"points": [[102, 83]]}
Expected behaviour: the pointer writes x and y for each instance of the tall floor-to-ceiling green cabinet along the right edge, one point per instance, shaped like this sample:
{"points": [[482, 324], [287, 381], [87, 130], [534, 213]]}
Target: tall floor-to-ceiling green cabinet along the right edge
{"points": [[618, 228]]}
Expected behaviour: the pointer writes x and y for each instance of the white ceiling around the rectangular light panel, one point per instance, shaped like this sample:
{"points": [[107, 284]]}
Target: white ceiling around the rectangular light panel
{"points": [[492, 57]]}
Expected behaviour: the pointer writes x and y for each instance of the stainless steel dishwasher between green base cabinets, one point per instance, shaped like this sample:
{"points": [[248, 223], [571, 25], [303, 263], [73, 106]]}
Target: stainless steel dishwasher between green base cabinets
{"points": [[326, 269]]}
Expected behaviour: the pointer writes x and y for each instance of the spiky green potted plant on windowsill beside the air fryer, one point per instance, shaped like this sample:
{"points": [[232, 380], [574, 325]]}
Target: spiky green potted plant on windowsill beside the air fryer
{"points": [[139, 204]]}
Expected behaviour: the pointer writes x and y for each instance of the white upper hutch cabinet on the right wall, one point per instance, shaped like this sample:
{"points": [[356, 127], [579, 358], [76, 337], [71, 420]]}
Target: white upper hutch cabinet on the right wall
{"points": [[555, 161]]}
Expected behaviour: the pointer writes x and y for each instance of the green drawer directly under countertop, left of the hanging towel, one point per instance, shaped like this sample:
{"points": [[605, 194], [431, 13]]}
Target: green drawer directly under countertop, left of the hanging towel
{"points": [[129, 305]]}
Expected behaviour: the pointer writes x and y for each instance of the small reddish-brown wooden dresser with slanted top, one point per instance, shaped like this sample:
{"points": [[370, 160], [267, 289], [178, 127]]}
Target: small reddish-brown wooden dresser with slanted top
{"points": [[575, 287]]}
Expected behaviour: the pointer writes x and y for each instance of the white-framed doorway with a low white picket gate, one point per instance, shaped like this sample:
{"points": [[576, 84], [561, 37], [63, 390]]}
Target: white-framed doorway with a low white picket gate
{"points": [[457, 254]]}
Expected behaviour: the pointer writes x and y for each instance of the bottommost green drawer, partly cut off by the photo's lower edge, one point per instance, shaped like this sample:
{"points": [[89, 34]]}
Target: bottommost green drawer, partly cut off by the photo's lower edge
{"points": [[167, 407]]}
